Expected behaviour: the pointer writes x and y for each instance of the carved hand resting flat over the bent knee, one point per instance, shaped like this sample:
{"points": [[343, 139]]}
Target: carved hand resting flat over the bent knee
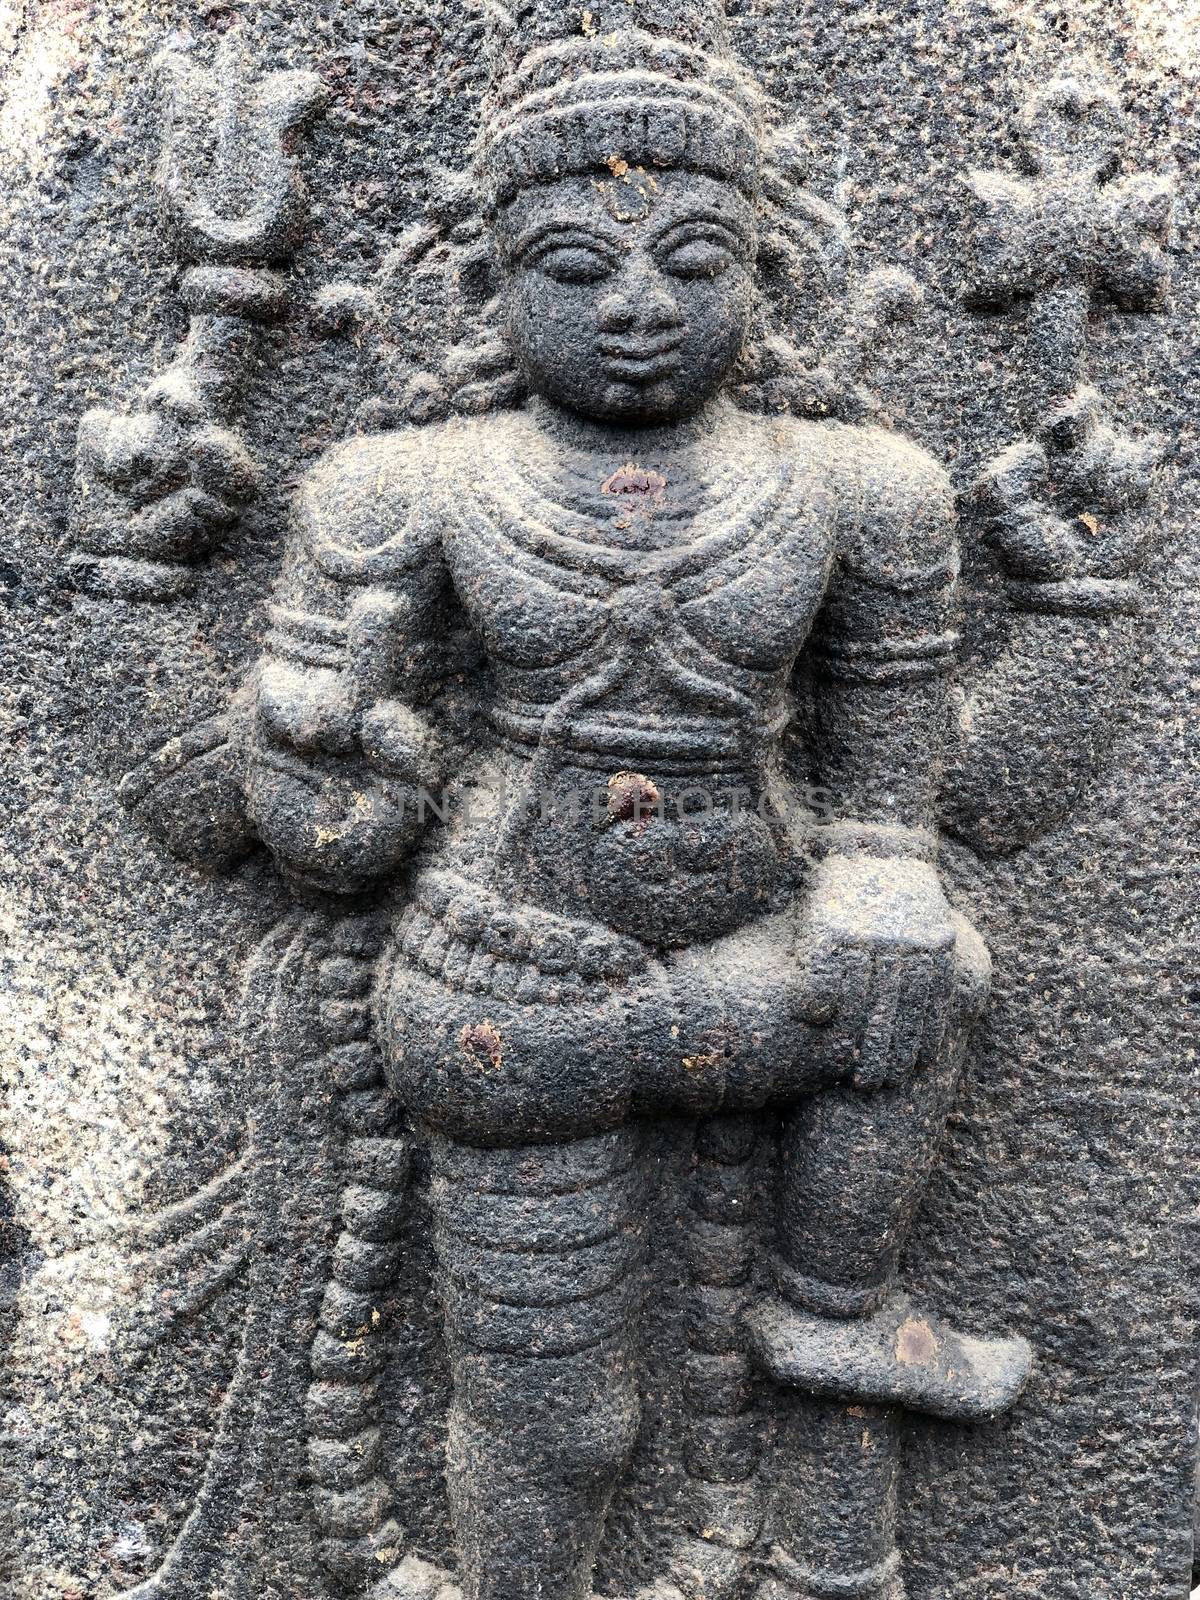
{"points": [[879, 943]]}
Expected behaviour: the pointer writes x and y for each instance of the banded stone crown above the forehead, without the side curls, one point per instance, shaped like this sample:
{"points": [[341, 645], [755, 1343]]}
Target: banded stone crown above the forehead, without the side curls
{"points": [[649, 82]]}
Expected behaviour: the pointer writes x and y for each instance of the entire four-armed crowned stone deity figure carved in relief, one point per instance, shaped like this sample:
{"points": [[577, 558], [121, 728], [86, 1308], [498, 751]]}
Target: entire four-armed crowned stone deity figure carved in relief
{"points": [[606, 729]]}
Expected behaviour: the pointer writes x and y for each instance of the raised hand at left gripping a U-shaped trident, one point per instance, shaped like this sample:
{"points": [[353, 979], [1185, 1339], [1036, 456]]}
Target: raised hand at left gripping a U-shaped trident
{"points": [[159, 489]]}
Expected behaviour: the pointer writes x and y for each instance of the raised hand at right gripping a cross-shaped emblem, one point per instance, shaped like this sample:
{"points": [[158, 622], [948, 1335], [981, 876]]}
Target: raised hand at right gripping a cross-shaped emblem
{"points": [[1054, 242]]}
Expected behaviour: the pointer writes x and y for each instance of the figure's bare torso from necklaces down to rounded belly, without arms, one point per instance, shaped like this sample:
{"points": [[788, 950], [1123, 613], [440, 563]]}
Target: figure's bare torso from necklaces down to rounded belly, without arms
{"points": [[641, 623]]}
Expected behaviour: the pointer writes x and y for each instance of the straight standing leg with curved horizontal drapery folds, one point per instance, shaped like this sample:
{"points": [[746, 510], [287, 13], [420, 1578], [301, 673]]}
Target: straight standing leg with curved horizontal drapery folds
{"points": [[540, 1254]]}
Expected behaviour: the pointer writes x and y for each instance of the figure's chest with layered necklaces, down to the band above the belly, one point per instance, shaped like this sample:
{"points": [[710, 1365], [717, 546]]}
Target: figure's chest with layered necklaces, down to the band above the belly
{"points": [[650, 617]]}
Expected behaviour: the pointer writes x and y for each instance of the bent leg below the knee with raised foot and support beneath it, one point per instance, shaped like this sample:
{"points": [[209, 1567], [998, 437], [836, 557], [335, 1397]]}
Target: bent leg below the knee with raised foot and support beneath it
{"points": [[854, 1170]]}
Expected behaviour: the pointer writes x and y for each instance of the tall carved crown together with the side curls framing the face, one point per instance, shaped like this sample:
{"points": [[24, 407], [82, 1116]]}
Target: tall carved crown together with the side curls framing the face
{"points": [[646, 84]]}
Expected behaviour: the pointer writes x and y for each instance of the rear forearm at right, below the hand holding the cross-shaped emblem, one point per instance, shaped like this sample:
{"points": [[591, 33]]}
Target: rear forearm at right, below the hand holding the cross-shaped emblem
{"points": [[1028, 735]]}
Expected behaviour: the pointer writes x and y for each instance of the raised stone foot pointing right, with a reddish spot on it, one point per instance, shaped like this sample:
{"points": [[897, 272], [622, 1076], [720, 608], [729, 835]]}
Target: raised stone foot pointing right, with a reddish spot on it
{"points": [[900, 1358]]}
